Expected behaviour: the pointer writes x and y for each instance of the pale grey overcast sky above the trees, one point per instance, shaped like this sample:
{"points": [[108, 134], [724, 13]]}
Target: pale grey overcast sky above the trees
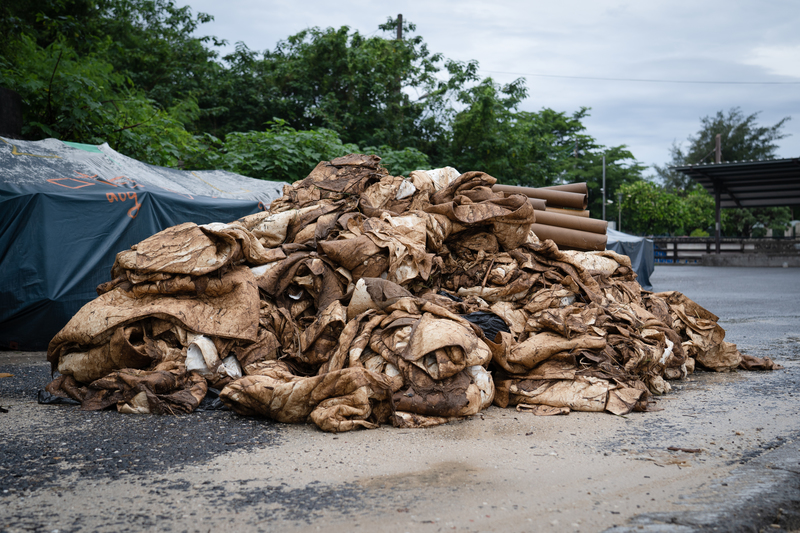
{"points": [[577, 53]]}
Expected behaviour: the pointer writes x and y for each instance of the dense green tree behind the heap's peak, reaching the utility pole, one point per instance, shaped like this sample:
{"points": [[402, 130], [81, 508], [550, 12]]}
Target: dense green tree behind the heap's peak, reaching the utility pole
{"points": [[338, 79]]}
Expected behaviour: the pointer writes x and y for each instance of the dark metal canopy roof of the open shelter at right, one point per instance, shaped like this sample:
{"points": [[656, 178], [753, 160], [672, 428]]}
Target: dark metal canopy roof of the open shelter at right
{"points": [[750, 183]]}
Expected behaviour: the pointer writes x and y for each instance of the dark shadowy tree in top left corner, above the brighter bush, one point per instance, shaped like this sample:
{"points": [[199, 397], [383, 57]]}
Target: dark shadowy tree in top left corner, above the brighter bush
{"points": [[150, 42]]}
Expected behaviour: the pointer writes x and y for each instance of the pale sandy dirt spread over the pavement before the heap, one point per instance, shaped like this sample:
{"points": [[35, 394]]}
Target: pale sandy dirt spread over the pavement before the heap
{"points": [[499, 471]]}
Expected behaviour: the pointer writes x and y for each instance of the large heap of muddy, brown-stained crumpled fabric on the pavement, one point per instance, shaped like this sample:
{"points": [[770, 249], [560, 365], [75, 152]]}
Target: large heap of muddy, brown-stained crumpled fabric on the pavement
{"points": [[363, 298]]}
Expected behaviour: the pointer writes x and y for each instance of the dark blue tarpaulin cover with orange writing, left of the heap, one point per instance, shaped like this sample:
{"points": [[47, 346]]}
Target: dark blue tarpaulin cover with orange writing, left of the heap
{"points": [[67, 209]]}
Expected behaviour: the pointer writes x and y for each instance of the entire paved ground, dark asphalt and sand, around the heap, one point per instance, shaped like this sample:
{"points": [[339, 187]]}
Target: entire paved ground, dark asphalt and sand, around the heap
{"points": [[62, 469]]}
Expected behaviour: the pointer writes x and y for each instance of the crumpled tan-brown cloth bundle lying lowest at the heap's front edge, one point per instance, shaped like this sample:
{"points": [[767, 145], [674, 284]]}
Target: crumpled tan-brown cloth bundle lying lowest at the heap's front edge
{"points": [[337, 401]]}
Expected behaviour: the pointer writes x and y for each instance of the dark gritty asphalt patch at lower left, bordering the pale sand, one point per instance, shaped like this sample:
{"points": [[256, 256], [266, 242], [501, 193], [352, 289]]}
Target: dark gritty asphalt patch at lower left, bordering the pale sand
{"points": [[37, 449]]}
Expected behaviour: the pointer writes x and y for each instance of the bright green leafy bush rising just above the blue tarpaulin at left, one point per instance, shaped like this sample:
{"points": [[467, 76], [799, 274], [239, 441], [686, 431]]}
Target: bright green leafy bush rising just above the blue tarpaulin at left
{"points": [[81, 98]]}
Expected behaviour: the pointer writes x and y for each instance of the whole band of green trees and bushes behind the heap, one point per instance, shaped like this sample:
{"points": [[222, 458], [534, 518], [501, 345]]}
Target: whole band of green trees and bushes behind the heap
{"points": [[135, 74]]}
